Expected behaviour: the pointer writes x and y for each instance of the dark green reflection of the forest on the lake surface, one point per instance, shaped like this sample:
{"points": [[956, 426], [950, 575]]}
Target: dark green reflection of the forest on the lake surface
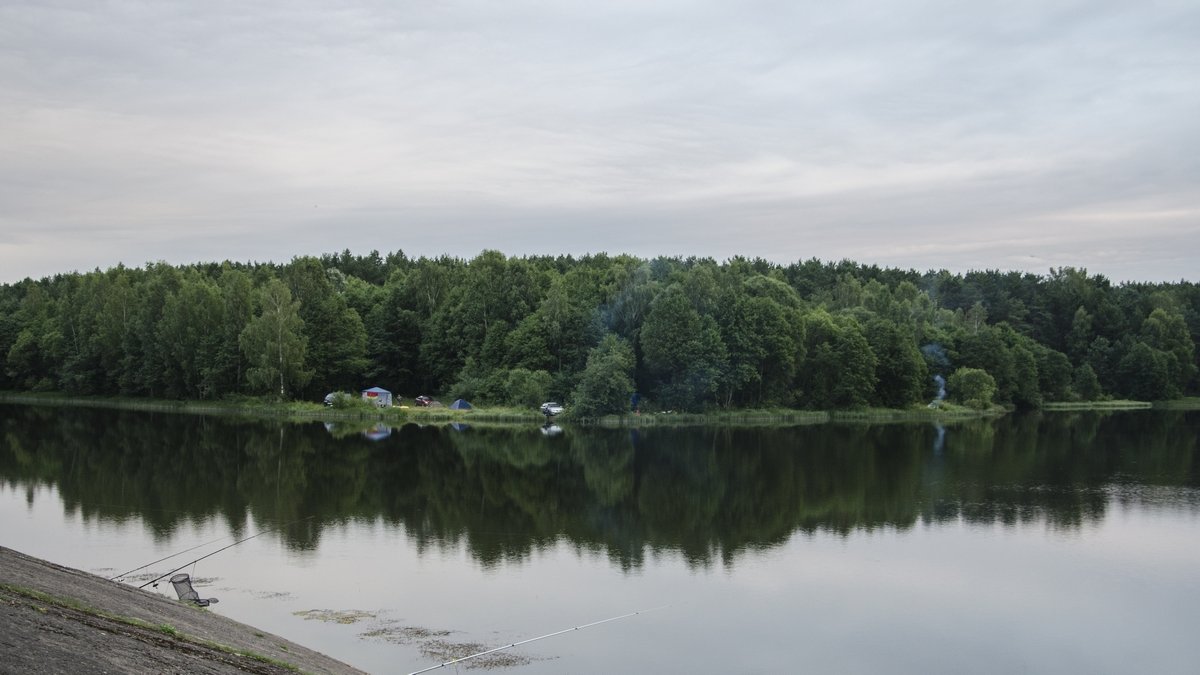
{"points": [[503, 494]]}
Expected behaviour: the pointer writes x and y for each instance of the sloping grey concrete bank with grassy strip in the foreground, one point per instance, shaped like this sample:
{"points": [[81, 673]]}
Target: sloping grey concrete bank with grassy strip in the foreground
{"points": [[65, 622]]}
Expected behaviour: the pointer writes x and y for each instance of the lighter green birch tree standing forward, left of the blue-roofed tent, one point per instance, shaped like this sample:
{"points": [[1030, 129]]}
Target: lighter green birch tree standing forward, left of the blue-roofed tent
{"points": [[274, 342]]}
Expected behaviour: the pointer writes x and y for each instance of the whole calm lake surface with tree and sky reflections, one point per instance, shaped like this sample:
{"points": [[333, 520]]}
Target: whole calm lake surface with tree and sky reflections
{"points": [[1059, 543]]}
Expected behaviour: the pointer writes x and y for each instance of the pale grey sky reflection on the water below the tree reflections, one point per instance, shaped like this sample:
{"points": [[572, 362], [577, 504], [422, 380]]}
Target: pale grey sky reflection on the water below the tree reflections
{"points": [[1118, 595]]}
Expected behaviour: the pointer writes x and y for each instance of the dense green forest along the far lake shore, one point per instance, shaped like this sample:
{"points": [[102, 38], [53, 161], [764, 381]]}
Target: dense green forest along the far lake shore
{"points": [[682, 333]]}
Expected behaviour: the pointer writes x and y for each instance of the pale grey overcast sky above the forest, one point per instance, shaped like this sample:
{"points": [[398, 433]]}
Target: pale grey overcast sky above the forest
{"points": [[1000, 135]]}
